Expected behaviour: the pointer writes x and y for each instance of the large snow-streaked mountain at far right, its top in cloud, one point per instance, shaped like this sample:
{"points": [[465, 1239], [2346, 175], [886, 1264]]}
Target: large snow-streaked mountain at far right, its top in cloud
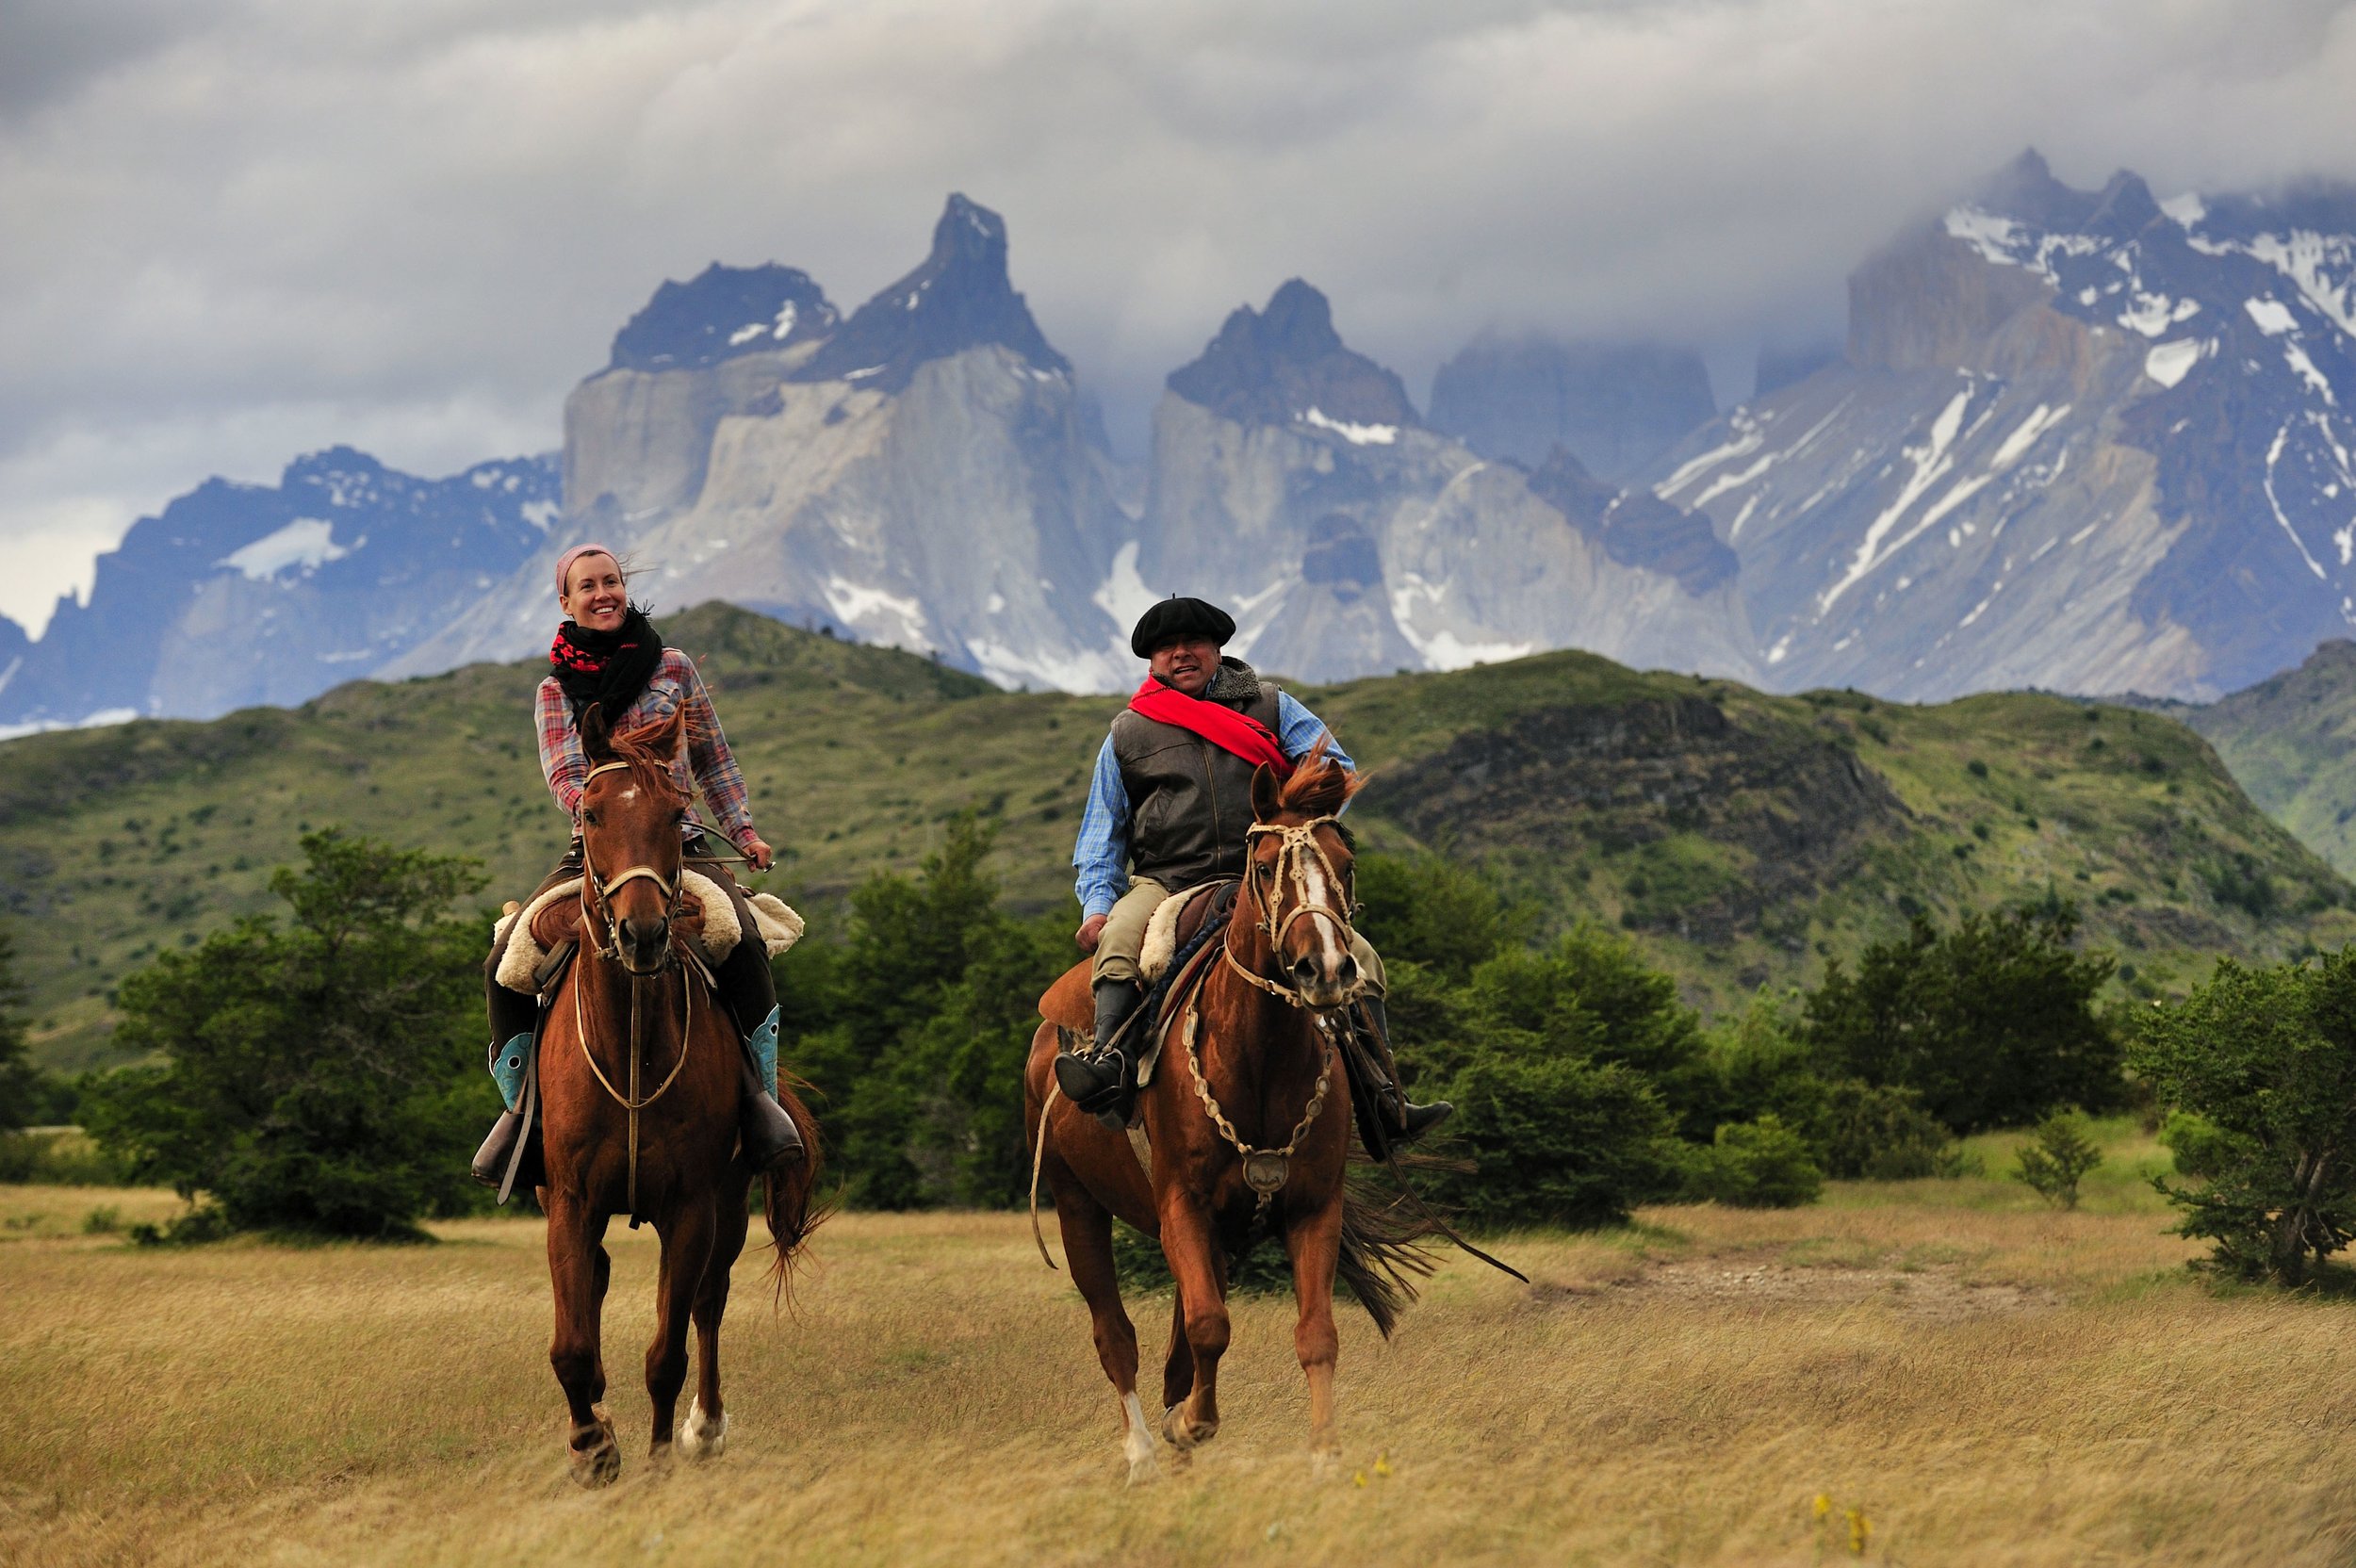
{"points": [[2084, 441]]}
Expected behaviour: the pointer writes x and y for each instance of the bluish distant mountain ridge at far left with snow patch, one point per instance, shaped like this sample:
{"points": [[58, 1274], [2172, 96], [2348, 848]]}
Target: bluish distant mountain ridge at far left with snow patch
{"points": [[246, 594]]}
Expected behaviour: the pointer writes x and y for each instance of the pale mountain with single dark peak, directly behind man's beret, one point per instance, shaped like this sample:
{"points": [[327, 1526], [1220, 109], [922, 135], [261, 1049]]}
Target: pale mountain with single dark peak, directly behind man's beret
{"points": [[1295, 481]]}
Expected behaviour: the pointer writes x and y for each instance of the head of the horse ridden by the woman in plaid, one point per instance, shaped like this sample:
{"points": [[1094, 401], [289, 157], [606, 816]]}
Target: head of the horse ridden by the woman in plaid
{"points": [[630, 839]]}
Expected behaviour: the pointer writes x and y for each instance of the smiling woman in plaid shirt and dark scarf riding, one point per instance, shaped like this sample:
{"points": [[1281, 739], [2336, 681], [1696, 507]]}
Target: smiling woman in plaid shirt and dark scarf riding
{"points": [[607, 653]]}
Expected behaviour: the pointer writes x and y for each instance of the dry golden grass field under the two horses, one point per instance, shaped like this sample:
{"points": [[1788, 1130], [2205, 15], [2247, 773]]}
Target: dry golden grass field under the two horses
{"points": [[1983, 1378]]}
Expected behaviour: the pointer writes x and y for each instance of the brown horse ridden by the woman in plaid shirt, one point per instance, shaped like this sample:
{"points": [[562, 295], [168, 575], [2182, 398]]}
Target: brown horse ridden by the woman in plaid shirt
{"points": [[637, 1025]]}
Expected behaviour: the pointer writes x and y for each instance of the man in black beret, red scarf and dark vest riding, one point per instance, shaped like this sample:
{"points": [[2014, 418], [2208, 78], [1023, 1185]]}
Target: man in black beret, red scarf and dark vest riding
{"points": [[1167, 811]]}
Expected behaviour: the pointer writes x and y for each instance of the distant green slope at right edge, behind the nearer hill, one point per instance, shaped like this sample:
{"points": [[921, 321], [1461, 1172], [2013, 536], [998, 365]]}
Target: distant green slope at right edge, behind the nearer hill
{"points": [[2291, 743]]}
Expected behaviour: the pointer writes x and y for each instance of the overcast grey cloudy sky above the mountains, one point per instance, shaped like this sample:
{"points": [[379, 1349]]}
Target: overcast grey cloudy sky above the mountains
{"points": [[237, 232]]}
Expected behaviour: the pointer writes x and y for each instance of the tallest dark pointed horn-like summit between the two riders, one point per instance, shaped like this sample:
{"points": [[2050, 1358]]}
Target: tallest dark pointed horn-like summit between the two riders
{"points": [[960, 298]]}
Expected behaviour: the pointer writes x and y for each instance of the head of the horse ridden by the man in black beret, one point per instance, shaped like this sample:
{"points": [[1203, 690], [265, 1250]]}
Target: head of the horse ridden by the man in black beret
{"points": [[1299, 879]]}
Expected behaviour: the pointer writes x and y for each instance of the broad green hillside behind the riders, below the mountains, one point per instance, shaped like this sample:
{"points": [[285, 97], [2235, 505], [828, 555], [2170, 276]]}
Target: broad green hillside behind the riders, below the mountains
{"points": [[1740, 837]]}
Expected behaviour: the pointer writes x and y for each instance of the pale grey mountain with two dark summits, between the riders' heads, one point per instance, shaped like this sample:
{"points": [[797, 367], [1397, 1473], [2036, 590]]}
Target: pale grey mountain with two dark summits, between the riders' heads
{"points": [[918, 474]]}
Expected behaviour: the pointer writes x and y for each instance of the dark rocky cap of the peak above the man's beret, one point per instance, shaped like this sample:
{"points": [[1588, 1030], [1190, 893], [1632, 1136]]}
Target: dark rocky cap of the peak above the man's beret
{"points": [[1290, 366]]}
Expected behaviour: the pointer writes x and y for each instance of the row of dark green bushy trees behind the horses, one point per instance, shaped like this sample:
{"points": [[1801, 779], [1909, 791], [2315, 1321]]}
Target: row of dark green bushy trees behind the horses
{"points": [[322, 1072]]}
